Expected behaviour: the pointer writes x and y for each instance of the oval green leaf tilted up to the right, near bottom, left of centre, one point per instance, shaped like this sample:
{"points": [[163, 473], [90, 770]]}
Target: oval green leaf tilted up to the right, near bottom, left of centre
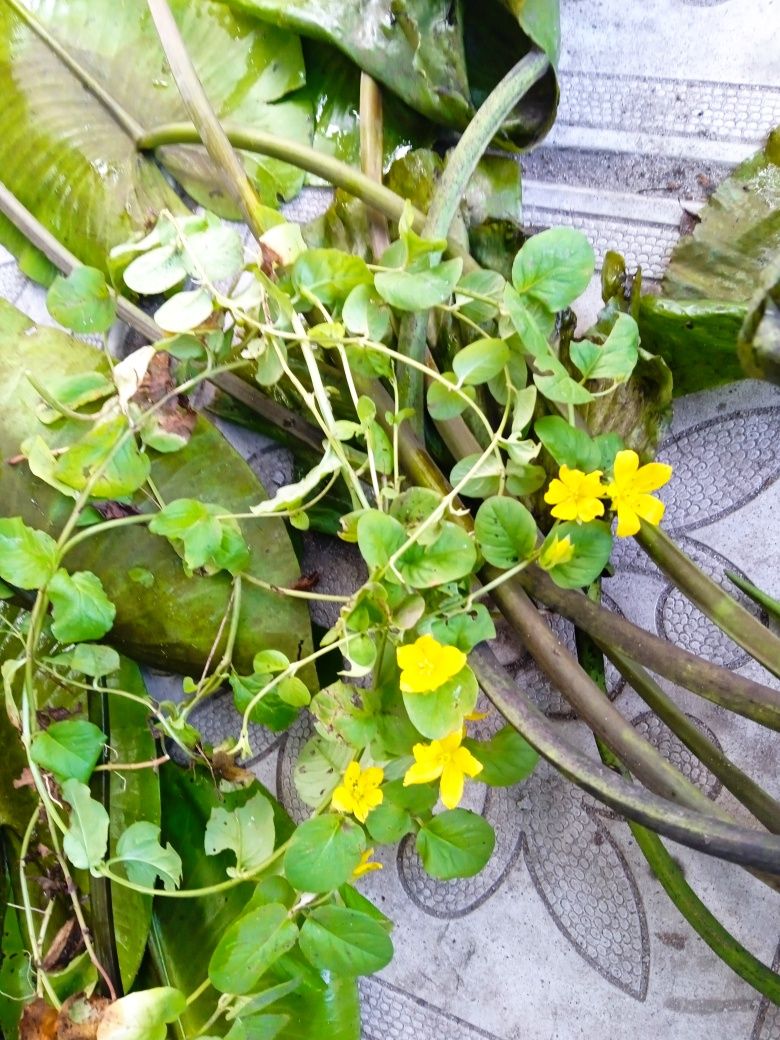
{"points": [[249, 948]]}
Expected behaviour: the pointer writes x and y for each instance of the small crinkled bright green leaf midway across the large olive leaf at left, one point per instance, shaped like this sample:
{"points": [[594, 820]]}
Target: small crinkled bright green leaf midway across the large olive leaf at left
{"points": [[206, 534]]}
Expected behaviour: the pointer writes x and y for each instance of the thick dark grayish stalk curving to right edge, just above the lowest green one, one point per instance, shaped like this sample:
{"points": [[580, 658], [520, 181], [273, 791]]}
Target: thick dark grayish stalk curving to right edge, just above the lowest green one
{"points": [[715, 838]]}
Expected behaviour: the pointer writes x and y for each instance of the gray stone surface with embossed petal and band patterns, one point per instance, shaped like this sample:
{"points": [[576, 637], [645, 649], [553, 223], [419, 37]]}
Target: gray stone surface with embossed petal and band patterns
{"points": [[566, 935]]}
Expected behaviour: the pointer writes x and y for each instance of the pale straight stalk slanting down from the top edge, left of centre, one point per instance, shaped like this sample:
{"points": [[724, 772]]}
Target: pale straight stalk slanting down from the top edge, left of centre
{"points": [[203, 116]]}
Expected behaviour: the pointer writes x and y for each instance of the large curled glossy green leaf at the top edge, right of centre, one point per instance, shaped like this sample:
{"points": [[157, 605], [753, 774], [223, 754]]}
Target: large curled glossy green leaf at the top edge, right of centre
{"points": [[441, 59]]}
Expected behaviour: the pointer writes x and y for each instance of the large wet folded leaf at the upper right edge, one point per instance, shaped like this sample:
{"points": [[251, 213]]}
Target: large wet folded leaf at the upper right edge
{"points": [[715, 273]]}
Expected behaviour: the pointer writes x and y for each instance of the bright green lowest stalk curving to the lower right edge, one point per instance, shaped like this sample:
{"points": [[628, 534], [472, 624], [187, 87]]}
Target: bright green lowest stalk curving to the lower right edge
{"points": [[667, 871]]}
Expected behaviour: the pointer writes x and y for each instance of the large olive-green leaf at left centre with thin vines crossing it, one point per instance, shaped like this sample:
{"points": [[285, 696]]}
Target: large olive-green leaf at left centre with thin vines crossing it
{"points": [[173, 621]]}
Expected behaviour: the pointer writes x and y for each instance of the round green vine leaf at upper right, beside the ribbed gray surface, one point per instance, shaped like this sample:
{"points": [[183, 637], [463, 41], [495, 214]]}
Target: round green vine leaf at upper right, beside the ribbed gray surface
{"points": [[555, 268]]}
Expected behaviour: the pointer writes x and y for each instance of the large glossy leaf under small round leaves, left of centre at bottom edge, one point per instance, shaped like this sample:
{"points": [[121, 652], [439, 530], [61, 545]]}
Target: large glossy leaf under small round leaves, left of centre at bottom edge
{"points": [[319, 1007]]}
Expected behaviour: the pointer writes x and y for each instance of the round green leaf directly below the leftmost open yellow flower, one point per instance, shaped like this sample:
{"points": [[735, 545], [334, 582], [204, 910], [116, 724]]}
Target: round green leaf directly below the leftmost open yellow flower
{"points": [[323, 853]]}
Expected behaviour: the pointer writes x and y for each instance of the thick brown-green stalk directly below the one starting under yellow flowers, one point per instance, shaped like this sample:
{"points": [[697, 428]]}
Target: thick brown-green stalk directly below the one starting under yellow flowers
{"points": [[738, 693]]}
